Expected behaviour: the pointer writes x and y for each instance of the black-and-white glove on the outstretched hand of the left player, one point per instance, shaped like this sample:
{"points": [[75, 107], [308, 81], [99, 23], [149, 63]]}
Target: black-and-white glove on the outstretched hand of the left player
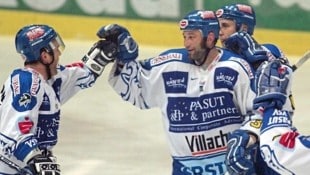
{"points": [[102, 53]]}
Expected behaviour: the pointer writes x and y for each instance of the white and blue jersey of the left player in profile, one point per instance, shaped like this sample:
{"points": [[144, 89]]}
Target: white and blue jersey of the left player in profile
{"points": [[30, 111]]}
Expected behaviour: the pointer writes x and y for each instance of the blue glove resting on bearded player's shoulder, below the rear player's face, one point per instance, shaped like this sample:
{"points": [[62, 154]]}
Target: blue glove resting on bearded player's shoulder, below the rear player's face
{"points": [[243, 44]]}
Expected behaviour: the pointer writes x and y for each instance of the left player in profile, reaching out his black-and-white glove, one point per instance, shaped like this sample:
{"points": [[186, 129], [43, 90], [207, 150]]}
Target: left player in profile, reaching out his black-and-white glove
{"points": [[31, 98]]}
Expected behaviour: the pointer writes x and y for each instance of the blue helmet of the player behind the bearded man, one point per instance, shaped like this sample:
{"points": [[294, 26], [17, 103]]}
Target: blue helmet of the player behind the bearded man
{"points": [[241, 14]]}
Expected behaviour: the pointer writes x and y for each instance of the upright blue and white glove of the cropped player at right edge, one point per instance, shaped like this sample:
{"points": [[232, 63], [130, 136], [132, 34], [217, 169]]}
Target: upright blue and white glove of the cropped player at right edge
{"points": [[272, 85]]}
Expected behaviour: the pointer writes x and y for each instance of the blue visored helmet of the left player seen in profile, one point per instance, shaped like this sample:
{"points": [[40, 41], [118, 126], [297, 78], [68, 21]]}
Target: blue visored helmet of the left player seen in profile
{"points": [[31, 39]]}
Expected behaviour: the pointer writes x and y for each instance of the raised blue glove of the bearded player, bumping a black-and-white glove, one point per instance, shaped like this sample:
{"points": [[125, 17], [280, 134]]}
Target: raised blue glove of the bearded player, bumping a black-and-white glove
{"points": [[127, 48]]}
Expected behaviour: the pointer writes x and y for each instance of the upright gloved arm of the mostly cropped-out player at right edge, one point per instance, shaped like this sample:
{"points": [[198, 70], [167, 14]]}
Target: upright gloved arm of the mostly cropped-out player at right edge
{"points": [[283, 148]]}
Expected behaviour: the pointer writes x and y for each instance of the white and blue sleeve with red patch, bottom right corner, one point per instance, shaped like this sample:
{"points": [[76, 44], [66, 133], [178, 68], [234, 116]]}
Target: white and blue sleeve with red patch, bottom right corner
{"points": [[283, 147]]}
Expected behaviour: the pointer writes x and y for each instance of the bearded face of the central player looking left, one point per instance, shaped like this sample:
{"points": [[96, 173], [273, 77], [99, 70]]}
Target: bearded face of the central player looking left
{"points": [[193, 42]]}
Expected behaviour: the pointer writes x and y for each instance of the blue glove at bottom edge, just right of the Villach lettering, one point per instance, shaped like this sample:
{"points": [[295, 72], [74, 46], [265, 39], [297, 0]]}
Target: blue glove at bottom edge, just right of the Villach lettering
{"points": [[240, 156]]}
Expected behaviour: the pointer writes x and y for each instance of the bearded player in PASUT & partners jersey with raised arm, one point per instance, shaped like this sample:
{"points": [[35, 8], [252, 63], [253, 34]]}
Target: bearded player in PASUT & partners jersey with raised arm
{"points": [[202, 90]]}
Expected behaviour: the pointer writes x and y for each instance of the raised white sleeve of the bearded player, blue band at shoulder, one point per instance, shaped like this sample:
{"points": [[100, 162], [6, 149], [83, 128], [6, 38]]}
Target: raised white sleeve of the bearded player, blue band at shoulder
{"points": [[144, 83]]}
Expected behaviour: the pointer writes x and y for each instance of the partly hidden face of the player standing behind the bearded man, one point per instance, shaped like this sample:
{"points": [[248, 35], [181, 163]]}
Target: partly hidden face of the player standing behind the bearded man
{"points": [[227, 28]]}
